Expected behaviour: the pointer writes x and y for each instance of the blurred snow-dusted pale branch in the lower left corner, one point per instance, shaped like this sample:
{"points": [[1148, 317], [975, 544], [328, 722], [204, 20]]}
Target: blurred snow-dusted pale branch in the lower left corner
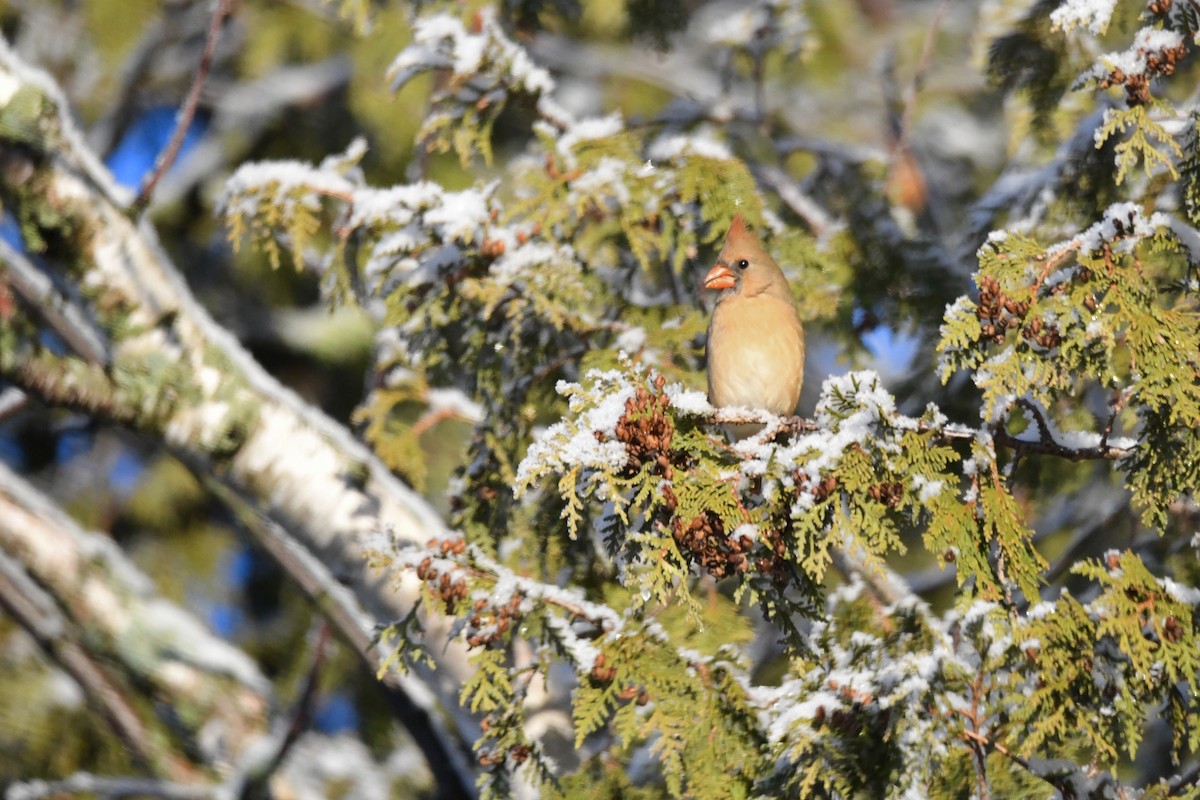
{"points": [[61, 579]]}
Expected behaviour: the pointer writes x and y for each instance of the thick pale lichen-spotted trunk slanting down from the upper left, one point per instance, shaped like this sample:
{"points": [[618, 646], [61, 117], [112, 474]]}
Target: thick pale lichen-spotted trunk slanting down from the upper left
{"points": [[149, 358]]}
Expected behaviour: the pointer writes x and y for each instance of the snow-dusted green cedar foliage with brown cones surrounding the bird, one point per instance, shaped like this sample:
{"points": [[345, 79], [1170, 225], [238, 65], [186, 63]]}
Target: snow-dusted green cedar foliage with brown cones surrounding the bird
{"points": [[609, 526]]}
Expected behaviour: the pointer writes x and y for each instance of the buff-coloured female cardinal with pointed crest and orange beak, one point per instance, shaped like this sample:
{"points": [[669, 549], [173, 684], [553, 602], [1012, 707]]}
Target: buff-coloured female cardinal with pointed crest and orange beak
{"points": [[755, 340]]}
